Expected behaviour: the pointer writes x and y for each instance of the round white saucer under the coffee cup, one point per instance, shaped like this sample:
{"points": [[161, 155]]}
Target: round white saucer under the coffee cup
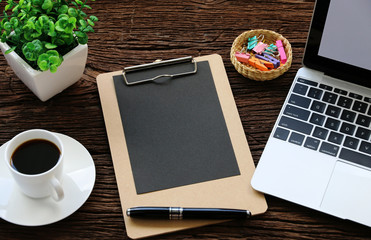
{"points": [[78, 183]]}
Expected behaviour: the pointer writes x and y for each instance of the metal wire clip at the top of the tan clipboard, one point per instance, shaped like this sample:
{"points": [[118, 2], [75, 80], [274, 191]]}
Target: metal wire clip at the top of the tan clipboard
{"points": [[157, 64]]}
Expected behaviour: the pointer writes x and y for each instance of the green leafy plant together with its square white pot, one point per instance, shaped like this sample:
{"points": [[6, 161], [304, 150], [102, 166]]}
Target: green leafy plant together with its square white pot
{"points": [[45, 42]]}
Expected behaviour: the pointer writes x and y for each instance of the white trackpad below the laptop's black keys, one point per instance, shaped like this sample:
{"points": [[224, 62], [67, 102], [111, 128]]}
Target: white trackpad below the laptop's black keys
{"points": [[348, 194]]}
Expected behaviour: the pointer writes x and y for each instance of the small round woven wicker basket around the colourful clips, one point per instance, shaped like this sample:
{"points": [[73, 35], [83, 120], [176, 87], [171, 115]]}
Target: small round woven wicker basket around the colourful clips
{"points": [[252, 73]]}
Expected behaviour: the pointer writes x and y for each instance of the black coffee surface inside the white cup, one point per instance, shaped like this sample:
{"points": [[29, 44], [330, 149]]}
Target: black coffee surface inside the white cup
{"points": [[35, 156]]}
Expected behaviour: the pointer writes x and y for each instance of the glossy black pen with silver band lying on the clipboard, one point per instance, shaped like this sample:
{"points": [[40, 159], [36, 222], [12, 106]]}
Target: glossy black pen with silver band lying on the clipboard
{"points": [[187, 213]]}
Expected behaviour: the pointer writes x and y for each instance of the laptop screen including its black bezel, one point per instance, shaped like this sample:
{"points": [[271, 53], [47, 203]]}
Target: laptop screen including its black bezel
{"points": [[339, 40]]}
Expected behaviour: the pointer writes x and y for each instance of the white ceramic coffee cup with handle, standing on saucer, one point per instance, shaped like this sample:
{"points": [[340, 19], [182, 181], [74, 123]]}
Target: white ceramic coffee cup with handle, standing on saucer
{"points": [[43, 184]]}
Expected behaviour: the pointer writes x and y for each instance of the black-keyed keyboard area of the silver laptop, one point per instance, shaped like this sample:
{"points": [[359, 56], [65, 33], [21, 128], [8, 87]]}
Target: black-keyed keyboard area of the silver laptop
{"points": [[330, 120]]}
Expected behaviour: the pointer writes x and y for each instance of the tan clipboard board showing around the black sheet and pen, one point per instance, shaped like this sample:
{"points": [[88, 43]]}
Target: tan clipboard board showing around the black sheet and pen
{"points": [[233, 191]]}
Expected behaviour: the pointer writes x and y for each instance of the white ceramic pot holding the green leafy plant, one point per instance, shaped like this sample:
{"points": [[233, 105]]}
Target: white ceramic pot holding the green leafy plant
{"points": [[46, 84]]}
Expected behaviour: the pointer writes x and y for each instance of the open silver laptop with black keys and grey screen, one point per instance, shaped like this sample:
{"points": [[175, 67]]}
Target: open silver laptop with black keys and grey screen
{"points": [[319, 152]]}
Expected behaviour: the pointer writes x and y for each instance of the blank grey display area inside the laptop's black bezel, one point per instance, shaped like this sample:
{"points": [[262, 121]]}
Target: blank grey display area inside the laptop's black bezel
{"points": [[347, 33]]}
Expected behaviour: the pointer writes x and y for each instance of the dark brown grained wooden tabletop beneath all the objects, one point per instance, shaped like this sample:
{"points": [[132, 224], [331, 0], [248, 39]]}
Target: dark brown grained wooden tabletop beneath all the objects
{"points": [[135, 32]]}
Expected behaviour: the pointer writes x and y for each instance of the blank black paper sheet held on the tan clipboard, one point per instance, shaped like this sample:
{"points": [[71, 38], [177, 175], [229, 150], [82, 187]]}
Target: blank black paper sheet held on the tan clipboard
{"points": [[175, 130]]}
